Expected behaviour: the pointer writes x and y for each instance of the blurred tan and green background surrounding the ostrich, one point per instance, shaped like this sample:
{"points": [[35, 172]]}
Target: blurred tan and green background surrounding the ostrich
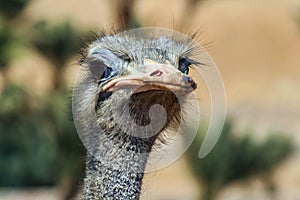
{"points": [[255, 44]]}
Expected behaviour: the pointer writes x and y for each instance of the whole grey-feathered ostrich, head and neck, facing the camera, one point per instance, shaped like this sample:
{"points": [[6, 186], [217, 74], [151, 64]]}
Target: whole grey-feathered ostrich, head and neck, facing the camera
{"points": [[129, 72]]}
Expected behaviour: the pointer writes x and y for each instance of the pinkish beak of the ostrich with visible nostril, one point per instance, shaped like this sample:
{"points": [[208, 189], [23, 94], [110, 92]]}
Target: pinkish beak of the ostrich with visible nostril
{"points": [[155, 76]]}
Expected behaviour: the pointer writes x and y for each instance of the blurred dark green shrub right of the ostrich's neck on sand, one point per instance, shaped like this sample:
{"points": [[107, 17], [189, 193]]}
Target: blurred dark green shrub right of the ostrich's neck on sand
{"points": [[235, 158]]}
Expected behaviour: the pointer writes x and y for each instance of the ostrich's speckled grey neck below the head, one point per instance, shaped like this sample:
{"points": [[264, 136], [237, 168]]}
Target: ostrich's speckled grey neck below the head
{"points": [[119, 169]]}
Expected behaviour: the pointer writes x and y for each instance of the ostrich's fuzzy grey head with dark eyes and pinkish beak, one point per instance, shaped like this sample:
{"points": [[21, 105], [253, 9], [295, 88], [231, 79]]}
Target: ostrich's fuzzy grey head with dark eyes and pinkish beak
{"points": [[138, 74]]}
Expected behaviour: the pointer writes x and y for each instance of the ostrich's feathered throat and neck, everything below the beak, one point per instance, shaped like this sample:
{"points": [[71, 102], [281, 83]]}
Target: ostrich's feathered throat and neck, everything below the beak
{"points": [[115, 168]]}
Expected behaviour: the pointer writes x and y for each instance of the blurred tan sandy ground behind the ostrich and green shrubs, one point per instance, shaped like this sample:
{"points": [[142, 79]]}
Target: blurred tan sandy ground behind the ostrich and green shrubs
{"points": [[256, 45]]}
